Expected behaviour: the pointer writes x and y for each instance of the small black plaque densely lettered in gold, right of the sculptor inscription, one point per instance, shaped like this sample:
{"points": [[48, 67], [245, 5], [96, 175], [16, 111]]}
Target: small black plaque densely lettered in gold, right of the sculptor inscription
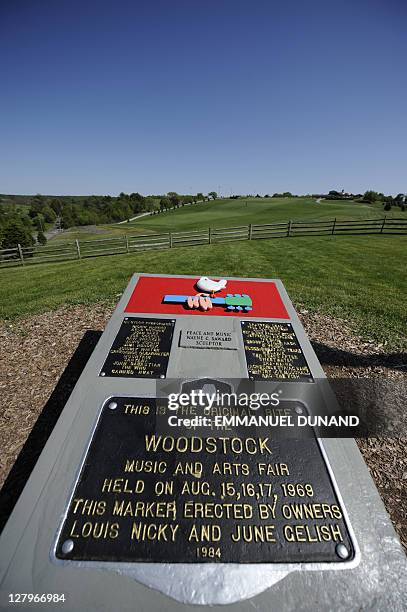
{"points": [[273, 352]]}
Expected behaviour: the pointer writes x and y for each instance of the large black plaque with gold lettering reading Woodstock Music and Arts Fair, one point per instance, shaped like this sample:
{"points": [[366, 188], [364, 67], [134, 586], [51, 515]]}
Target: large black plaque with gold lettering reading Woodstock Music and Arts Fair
{"points": [[176, 497]]}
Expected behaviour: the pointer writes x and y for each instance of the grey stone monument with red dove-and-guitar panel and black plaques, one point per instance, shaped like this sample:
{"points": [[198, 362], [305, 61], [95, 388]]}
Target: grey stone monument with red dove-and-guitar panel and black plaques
{"points": [[137, 504]]}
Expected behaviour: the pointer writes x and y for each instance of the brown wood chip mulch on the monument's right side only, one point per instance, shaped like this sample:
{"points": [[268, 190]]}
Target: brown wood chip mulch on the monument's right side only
{"points": [[345, 355]]}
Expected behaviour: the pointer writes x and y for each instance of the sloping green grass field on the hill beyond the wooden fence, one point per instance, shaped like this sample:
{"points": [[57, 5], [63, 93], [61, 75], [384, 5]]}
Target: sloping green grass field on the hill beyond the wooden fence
{"points": [[223, 213]]}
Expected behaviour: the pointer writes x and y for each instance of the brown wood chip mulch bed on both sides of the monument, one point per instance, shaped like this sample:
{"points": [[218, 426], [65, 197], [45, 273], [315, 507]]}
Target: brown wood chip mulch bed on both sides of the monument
{"points": [[36, 350]]}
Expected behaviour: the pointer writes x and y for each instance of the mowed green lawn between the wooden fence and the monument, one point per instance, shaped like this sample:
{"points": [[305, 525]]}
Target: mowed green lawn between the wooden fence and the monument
{"points": [[360, 278]]}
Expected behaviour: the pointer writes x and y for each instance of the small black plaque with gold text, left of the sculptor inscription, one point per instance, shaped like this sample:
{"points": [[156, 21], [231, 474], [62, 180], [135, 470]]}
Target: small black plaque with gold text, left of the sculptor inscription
{"points": [[141, 349]]}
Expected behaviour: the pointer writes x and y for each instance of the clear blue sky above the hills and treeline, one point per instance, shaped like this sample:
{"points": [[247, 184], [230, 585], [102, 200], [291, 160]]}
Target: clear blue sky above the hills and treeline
{"points": [[187, 95]]}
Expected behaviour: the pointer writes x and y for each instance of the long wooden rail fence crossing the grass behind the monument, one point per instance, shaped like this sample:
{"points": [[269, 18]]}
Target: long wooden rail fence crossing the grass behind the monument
{"points": [[131, 243]]}
